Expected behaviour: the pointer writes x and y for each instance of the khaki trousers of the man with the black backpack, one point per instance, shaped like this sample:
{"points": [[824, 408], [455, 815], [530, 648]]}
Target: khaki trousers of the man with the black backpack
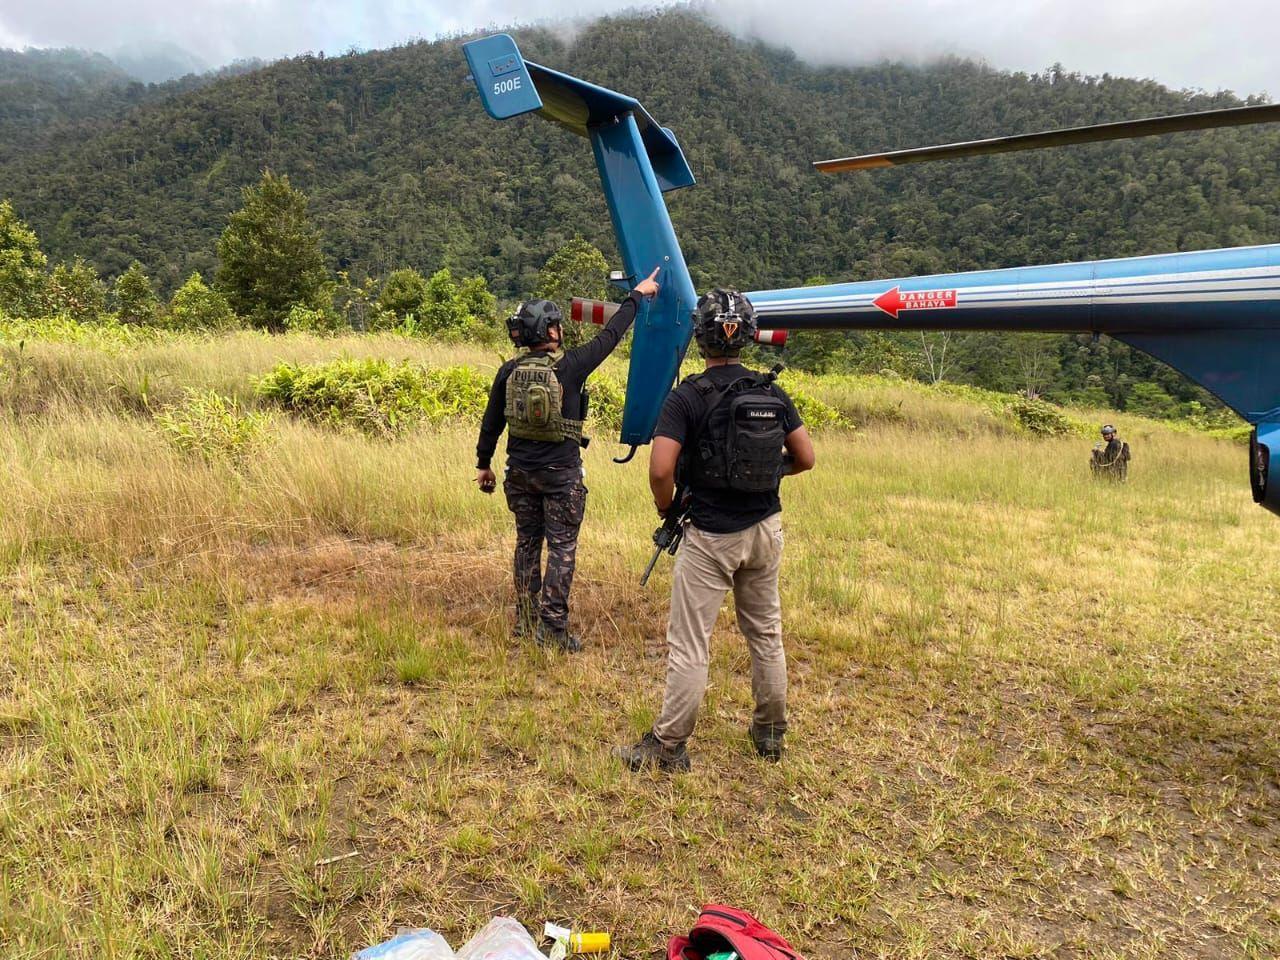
{"points": [[707, 568]]}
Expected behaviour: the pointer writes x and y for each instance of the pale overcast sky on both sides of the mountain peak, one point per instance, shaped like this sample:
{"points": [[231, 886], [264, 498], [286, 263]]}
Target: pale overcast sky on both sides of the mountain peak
{"points": [[1232, 44]]}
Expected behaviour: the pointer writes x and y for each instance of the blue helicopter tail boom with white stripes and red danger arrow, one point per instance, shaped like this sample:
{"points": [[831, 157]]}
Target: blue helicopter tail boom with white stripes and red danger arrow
{"points": [[1214, 316]]}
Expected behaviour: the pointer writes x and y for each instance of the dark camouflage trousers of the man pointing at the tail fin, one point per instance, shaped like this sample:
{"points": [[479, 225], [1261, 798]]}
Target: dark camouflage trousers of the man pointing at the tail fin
{"points": [[548, 505]]}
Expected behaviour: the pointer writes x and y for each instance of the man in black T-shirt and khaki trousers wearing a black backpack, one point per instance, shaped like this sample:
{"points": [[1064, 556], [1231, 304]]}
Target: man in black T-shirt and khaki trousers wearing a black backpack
{"points": [[728, 437]]}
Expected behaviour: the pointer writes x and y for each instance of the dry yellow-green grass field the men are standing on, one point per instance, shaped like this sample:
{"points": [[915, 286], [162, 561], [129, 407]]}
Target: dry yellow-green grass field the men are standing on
{"points": [[1032, 716]]}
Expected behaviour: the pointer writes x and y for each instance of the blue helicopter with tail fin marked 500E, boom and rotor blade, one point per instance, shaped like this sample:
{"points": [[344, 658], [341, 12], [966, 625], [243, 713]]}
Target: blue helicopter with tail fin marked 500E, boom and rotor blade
{"points": [[1213, 316]]}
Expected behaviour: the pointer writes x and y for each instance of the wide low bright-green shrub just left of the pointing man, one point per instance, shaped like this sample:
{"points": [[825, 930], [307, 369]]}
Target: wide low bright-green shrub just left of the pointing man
{"points": [[374, 396]]}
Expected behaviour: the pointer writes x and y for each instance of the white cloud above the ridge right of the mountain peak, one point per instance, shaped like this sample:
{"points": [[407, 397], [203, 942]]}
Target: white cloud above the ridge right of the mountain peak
{"points": [[1180, 43]]}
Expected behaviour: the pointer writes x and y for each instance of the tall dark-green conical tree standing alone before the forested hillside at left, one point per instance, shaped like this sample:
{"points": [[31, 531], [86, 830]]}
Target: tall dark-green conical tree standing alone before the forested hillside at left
{"points": [[271, 258]]}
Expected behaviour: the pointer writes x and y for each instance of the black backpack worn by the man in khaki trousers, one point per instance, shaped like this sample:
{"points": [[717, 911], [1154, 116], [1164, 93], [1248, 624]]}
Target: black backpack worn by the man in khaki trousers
{"points": [[739, 445]]}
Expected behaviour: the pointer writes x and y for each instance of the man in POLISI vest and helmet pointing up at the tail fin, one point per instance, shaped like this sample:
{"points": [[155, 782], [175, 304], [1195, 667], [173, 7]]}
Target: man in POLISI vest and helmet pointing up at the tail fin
{"points": [[541, 399]]}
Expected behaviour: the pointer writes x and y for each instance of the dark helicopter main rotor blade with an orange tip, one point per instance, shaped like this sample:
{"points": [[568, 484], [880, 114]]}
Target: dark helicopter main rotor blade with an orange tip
{"points": [[1124, 130]]}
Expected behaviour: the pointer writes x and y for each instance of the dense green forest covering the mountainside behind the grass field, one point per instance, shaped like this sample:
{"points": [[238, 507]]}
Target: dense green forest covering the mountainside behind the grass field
{"points": [[400, 170]]}
